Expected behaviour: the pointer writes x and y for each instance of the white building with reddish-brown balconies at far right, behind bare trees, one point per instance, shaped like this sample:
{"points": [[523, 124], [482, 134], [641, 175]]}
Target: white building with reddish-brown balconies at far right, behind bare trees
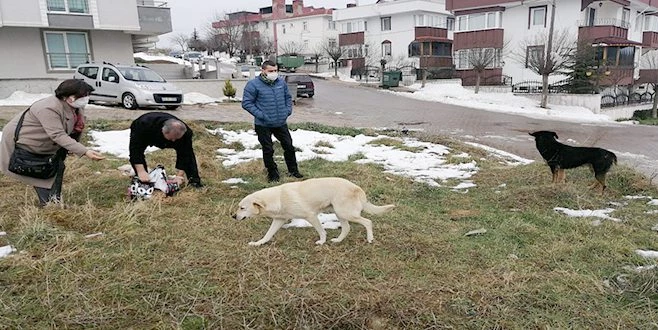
{"points": [[620, 30]]}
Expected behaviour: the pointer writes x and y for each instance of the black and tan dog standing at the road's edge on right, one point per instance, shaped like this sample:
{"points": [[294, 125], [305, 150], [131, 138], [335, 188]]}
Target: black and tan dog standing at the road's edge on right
{"points": [[560, 156]]}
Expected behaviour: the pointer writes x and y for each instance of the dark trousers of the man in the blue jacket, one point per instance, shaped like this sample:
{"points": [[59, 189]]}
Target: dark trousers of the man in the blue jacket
{"points": [[283, 135]]}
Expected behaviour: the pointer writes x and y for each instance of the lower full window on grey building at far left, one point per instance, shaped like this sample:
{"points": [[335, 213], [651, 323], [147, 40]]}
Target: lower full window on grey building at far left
{"points": [[66, 50]]}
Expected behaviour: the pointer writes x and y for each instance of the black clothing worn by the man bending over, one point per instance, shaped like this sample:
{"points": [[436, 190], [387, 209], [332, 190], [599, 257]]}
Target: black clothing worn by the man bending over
{"points": [[146, 131]]}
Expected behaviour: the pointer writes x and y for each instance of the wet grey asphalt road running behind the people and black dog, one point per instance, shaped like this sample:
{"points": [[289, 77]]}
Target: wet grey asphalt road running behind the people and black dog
{"points": [[342, 104]]}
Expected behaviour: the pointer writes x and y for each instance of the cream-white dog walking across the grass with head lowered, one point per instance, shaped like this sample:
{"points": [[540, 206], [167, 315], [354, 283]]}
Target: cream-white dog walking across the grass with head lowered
{"points": [[305, 200]]}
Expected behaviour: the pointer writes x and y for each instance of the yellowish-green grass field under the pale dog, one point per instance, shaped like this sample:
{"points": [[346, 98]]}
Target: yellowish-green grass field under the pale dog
{"points": [[184, 263]]}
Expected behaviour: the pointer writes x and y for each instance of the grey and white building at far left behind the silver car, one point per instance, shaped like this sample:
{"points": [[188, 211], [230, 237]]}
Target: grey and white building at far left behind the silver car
{"points": [[49, 38]]}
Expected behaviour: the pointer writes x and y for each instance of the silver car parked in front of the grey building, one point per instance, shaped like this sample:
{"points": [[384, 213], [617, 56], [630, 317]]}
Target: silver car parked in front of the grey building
{"points": [[130, 86]]}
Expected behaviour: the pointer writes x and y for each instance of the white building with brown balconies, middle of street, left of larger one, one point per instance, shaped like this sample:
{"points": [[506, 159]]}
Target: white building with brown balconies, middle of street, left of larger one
{"points": [[402, 32]]}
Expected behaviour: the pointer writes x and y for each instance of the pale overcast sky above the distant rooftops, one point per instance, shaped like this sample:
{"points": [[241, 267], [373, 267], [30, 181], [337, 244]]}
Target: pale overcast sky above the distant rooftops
{"points": [[189, 14]]}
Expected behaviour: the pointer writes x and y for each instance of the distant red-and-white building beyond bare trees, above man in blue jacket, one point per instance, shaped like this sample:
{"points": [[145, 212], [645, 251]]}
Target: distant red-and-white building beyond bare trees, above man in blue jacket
{"points": [[285, 26]]}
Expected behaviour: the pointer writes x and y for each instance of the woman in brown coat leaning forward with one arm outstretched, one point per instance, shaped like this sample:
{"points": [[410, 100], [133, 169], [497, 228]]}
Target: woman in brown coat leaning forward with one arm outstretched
{"points": [[51, 126]]}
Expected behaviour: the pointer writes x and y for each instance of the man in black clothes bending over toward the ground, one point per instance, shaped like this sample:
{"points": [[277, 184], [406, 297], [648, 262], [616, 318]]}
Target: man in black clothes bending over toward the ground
{"points": [[163, 130]]}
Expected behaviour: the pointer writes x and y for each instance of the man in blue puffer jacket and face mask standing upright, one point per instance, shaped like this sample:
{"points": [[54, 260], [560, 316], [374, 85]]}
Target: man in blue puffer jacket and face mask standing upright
{"points": [[267, 98]]}
